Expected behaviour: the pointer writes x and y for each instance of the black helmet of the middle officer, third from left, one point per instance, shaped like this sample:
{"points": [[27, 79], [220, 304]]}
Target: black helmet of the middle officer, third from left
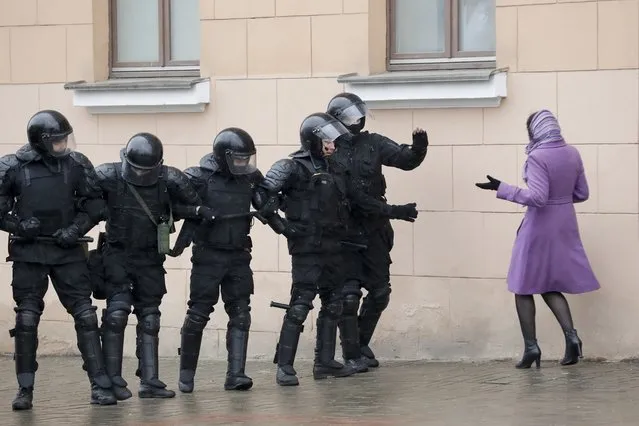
{"points": [[234, 151]]}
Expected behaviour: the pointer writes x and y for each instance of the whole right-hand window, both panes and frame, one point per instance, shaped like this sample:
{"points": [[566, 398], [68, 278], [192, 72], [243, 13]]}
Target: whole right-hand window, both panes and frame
{"points": [[441, 34]]}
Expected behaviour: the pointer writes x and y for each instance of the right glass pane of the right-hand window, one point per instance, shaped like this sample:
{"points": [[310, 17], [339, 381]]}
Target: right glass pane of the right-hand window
{"points": [[477, 25]]}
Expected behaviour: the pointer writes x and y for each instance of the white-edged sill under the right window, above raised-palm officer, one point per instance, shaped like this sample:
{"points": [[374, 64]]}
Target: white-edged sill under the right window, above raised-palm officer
{"points": [[467, 88]]}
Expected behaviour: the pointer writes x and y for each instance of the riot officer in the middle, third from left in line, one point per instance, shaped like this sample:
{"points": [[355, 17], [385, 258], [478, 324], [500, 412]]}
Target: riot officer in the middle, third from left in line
{"points": [[225, 180]]}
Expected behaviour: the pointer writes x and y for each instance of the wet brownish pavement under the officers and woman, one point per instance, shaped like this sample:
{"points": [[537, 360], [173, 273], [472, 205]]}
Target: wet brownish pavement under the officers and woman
{"points": [[397, 393]]}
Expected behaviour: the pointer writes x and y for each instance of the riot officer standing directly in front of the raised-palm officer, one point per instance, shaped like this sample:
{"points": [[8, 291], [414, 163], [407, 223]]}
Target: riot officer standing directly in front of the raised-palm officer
{"points": [[315, 202]]}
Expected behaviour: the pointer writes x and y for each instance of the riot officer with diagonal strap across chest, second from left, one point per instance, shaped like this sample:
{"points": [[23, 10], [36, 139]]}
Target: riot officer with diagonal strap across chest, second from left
{"points": [[143, 198]]}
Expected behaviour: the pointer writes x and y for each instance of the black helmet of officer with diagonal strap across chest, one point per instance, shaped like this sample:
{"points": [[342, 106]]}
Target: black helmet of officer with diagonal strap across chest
{"points": [[142, 159]]}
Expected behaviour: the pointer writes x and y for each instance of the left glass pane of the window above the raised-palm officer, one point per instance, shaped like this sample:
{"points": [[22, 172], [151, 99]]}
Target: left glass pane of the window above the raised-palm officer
{"points": [[420, 26]]}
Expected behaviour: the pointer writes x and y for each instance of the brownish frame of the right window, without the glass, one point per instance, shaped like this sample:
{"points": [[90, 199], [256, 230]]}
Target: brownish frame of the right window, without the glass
{"points": [[450, 58]]}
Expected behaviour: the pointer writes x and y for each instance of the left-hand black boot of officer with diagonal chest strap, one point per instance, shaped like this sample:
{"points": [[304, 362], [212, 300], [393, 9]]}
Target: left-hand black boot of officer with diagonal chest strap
{"points": [[113, 326]]}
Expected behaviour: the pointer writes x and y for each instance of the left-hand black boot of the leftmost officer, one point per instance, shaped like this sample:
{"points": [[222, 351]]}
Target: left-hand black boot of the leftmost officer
{"points": [[26, 346]]}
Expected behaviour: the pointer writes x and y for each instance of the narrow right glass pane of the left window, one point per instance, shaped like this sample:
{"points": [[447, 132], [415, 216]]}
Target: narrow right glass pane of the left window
{"points": [[185, 30]]}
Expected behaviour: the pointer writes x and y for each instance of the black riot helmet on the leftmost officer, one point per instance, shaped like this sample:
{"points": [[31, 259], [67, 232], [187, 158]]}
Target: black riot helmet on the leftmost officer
{"points": [[50, 134]]}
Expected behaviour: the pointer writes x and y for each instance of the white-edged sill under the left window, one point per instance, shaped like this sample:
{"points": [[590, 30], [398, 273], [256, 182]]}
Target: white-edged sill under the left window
{"points": [[142, 96]]}
